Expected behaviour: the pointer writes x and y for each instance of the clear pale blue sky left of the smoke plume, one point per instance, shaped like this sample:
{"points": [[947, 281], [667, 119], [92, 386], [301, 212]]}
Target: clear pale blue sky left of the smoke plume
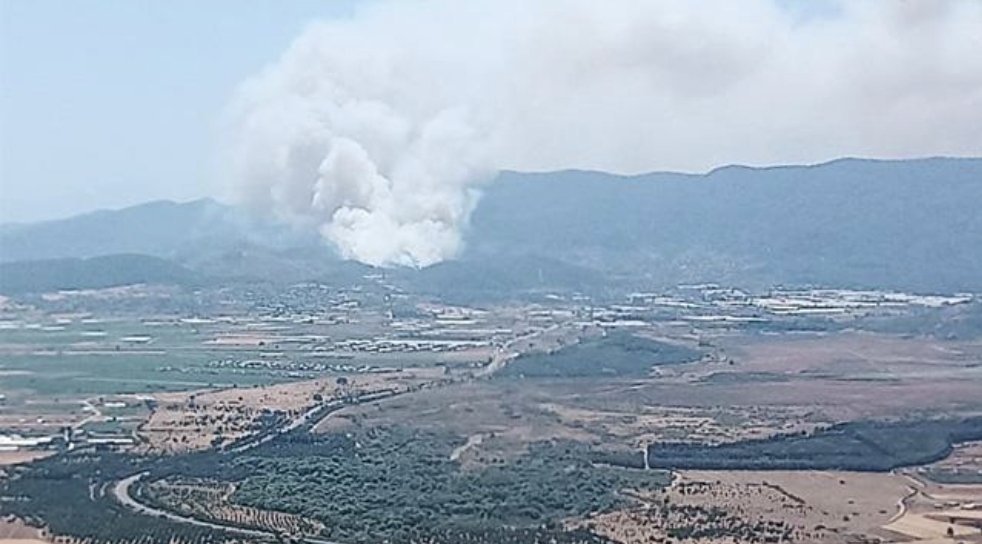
{"points": [[112, 102]]}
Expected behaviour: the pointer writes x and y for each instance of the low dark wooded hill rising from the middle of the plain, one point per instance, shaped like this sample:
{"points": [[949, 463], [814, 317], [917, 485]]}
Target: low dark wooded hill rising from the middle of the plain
{"points": [[617, 354]]}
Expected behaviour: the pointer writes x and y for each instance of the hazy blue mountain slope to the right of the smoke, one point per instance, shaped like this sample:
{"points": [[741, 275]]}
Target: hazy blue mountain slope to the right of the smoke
{"points": [[907, 224]]}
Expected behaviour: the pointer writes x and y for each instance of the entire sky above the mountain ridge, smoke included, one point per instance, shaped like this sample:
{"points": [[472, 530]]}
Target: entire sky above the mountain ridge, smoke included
{"points": [[108, 103]]}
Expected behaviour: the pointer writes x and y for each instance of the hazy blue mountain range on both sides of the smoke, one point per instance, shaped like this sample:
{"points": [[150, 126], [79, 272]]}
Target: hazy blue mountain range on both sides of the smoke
{"points": [[910, 224]]}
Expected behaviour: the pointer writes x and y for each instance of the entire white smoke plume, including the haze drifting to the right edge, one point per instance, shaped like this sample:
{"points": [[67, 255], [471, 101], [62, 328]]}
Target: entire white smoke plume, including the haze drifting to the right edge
{"points": [[378, 130]]}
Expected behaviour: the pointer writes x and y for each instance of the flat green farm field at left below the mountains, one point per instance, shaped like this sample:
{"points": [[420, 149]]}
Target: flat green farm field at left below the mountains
{"points": [[85, 359]]}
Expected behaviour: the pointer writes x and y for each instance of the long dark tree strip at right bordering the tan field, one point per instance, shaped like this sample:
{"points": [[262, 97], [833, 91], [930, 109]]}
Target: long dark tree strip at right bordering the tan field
{"points": [[862, 446]]}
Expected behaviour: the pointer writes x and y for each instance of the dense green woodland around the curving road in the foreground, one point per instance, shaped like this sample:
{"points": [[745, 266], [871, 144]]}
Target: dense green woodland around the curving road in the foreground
{"points": [[384, 484]]}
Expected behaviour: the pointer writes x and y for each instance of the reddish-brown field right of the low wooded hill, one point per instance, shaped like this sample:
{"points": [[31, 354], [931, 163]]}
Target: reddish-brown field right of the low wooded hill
{"points": [[832, 377]]}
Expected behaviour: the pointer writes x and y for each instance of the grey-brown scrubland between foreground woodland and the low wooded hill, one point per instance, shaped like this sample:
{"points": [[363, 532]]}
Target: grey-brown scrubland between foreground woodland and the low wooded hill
{"points": [[510, 415]]}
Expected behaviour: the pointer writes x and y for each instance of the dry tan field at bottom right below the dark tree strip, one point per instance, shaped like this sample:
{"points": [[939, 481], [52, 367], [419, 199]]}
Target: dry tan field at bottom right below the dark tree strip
{"points": [[821, 507]]}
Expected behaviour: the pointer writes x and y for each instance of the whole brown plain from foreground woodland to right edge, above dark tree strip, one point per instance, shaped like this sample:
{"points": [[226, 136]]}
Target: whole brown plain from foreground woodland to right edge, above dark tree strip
{"points": [[773, 386]]}
